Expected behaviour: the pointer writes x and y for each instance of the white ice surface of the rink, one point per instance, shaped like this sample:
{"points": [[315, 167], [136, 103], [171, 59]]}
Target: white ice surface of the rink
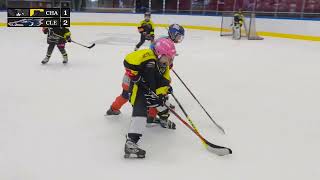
{"points": [[264, 93]]}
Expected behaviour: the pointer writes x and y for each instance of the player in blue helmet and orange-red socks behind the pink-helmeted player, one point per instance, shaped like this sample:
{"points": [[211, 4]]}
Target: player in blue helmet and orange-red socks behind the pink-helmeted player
{"points": [[176, 34]]}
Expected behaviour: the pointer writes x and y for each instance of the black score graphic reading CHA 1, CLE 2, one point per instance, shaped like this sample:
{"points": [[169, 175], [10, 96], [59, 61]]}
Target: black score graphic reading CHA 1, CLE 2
{"points": [[39, 17]]}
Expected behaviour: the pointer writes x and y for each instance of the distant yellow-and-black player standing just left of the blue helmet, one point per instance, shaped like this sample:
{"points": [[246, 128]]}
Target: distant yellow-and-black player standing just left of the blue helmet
{"points": [[146, 29]]}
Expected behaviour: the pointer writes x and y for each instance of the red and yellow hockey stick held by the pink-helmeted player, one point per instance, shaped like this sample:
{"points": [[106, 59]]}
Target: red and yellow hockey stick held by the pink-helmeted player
{"points": [[219, 150]]}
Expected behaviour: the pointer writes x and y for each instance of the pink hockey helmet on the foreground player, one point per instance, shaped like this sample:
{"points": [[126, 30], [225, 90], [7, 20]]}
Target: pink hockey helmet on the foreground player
{"points": [[165, 47]]}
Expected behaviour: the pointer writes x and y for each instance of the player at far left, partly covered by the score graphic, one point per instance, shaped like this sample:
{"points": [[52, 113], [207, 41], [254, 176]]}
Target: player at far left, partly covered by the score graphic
{"points": [[57, 36]]}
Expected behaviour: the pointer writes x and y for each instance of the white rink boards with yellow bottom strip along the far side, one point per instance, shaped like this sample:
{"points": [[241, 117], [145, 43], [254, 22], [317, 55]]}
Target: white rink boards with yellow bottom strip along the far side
{"points": [[282, 28]]}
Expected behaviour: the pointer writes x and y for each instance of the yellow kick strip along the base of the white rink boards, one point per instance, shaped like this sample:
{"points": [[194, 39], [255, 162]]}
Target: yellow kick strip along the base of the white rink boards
{"points": [[206, 28]]}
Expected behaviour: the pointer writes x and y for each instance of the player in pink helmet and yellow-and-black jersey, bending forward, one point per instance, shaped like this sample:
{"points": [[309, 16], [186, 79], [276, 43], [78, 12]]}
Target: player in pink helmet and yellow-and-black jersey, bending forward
{"points": [[149, 74]]}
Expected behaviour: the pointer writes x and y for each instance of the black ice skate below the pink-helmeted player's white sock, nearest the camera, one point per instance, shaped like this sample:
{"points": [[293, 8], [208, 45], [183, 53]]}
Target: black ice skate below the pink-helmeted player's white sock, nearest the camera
{"points": [[132, 150]]}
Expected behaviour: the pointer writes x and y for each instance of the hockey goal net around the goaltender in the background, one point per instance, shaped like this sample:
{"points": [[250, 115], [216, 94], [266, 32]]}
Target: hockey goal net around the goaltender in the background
{"points": [[248, 28]]}
